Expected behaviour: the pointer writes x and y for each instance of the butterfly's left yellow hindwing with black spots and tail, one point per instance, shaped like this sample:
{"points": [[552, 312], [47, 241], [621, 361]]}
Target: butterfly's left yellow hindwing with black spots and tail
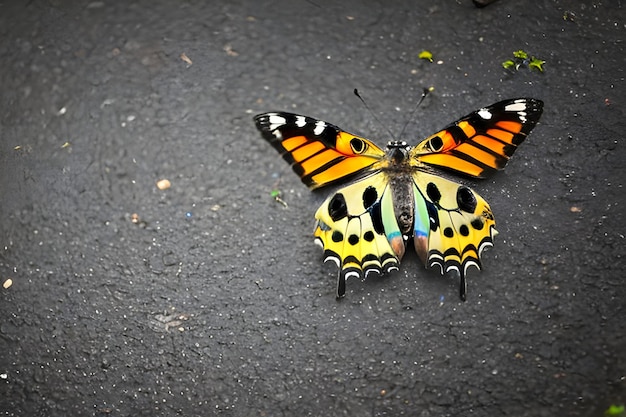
{"points": [[356, 227]]}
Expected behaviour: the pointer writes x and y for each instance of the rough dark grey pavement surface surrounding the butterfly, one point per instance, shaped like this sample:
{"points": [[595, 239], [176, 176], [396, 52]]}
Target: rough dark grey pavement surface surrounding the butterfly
{"points": [[209, 298]]}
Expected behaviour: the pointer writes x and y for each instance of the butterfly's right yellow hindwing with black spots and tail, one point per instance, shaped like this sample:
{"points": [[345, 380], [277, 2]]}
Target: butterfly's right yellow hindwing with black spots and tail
{"points": [[459, 221]]}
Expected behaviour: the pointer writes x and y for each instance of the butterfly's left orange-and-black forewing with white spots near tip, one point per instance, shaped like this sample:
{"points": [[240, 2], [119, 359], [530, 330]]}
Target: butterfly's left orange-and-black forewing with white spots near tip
{"points": [[319, 152]]}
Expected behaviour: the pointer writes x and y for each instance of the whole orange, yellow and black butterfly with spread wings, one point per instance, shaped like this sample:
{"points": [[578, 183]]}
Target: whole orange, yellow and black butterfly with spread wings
{"points": [[396, 198]]}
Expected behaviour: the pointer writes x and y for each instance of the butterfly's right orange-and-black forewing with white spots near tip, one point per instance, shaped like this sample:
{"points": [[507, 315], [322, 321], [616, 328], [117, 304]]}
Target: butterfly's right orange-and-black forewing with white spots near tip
{"points": [[482, 142]]}
